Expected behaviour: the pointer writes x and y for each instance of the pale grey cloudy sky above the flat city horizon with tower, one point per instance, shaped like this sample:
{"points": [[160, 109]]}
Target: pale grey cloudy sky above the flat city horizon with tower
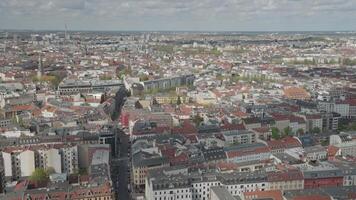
{"points": [[179, 15]]}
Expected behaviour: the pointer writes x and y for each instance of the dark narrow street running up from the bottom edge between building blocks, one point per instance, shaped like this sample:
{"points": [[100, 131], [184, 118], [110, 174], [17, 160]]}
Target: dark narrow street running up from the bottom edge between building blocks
{"points": [[120, 168]]}
